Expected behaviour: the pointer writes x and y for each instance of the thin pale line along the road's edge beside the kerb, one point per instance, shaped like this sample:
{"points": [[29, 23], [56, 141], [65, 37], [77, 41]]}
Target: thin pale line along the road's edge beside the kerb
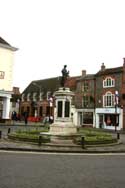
{"points": [[56, 153]]}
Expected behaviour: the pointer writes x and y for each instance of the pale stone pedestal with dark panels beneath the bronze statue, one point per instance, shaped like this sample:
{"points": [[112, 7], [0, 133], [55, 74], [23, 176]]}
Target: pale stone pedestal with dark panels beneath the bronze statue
{"points": [[63, 128]]}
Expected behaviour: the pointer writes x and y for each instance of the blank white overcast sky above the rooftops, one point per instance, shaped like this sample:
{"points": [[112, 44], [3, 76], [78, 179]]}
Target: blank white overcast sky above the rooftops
{"points": [[51, 33]]}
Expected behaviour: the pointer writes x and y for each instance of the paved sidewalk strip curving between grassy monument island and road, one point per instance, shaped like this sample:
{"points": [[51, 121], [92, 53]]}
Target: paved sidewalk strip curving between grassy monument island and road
{"points": [[6, 144]]}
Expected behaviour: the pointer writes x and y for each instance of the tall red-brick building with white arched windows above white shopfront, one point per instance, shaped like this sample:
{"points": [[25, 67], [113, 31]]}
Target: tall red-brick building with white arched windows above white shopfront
{"points": [[108, 98]]}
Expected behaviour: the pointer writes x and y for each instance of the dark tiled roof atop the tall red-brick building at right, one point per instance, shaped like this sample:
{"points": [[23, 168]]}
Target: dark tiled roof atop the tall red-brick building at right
{"points": [[109, 71]]}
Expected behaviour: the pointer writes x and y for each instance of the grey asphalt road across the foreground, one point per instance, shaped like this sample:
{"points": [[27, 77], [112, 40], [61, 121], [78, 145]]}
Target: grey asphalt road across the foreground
{"points": [[42, 170]]}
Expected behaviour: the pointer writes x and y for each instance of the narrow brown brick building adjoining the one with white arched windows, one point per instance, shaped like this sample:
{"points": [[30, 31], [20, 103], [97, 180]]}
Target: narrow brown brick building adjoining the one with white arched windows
{"points": [[84, 99]]}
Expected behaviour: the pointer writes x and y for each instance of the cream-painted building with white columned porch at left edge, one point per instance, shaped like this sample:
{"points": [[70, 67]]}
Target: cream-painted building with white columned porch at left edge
{"points": [[6, 77]]}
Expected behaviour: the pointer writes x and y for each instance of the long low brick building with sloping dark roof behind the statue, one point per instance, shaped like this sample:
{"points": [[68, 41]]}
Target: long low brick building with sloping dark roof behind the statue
{"points": [[38, 98]]}
